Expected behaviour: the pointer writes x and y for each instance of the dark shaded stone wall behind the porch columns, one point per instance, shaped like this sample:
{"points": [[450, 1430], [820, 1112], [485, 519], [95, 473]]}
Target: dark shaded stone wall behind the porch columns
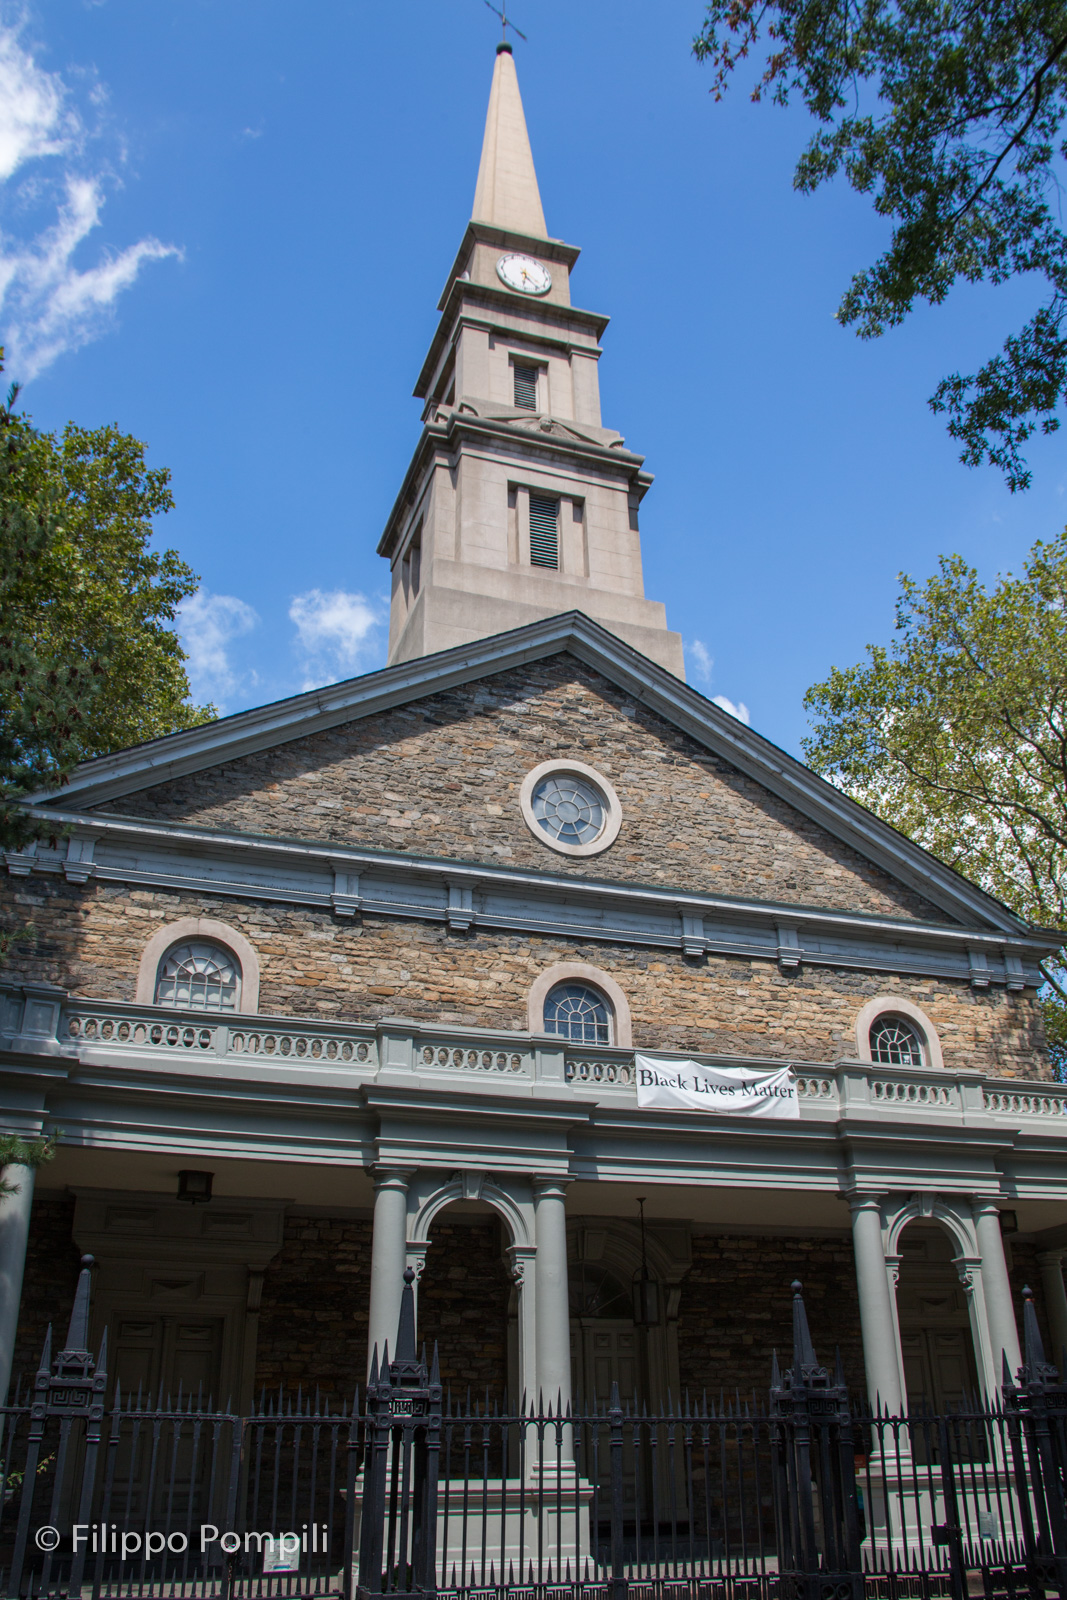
{"points": [[735, 1306]]}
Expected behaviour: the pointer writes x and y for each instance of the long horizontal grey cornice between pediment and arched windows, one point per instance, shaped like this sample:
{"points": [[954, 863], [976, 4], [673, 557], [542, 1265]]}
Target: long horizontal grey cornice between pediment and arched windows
{"points": [[466, 894]]}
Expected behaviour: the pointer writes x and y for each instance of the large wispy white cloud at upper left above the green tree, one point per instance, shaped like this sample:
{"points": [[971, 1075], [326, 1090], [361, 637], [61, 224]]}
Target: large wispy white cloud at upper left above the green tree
{"points": [[47, 303]]}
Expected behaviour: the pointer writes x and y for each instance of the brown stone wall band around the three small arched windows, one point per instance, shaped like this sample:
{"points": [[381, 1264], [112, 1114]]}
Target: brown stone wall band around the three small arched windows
{"points": [[313, 964]]}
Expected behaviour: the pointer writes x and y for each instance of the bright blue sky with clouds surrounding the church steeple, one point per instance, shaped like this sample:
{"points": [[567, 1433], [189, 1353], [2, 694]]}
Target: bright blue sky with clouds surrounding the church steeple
{"points": [[225, 226]]}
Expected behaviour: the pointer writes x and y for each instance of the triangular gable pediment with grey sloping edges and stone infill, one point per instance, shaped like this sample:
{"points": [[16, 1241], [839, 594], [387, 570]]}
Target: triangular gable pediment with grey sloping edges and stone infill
{"points": [[745, 802]]}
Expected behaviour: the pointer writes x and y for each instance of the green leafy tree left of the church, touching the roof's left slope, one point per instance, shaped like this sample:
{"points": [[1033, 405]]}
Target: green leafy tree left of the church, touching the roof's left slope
{"points": [[89, 655]]}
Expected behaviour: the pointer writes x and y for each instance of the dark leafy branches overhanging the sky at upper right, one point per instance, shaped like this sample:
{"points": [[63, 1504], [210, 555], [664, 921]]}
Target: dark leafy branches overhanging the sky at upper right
{"points": [[949, 118]]}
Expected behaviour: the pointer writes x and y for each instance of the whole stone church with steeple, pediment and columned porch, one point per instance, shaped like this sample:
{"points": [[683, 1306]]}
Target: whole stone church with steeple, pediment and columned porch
{"points": [[423, 970]]}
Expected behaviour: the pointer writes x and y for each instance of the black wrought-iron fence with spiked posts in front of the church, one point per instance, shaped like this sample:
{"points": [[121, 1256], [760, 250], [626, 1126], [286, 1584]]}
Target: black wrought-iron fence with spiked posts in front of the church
{"points": [[404, 1494]]}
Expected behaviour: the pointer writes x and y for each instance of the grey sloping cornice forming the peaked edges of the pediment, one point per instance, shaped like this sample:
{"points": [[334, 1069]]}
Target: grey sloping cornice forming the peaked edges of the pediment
{"points": [[111, 777]]}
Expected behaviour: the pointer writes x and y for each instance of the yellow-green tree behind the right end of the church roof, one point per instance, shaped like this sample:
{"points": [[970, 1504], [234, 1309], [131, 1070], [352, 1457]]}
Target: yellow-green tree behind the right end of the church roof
{"points": [[957, 735]]}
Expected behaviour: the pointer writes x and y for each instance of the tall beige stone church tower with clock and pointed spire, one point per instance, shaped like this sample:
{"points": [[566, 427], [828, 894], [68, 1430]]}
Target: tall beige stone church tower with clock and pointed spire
{"points": [[519, 505]]}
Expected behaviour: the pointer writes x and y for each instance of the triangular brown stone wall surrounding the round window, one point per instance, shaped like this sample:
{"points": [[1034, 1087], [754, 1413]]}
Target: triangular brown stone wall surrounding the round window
{"points": [[442, 778]]}
